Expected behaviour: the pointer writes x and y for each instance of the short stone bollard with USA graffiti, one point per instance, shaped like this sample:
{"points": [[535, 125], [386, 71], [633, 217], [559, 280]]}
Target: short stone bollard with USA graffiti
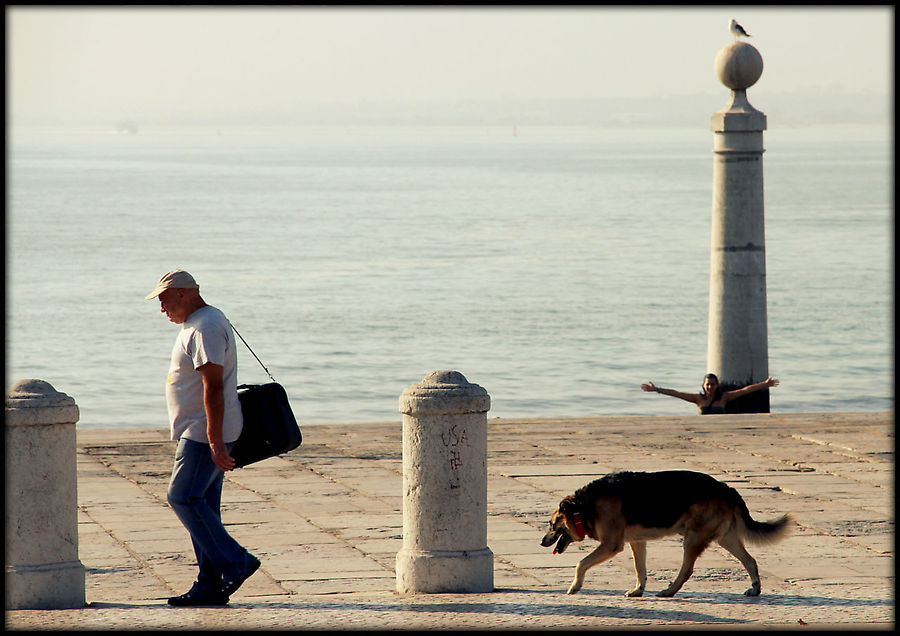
{"points": [[445, 487]]}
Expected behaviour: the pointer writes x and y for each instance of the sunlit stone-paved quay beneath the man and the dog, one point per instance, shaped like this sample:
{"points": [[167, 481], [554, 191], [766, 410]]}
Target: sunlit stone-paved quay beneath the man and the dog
{"points": [[326, 523]]}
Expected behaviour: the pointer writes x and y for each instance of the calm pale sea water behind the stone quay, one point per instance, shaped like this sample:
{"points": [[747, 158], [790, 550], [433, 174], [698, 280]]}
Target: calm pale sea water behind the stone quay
{"points": [[558, 267]]}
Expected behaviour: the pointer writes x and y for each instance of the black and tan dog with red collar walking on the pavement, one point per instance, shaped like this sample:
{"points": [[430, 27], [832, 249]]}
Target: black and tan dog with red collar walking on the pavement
{"points": [[638, 507]]}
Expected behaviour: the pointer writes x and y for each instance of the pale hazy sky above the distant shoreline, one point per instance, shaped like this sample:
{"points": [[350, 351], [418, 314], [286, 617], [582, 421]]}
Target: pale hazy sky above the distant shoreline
{"points": [[102, 64]]}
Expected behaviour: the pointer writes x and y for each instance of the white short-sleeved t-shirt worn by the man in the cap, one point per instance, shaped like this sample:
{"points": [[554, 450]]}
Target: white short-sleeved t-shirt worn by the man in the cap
{"points": [[206, 336]]}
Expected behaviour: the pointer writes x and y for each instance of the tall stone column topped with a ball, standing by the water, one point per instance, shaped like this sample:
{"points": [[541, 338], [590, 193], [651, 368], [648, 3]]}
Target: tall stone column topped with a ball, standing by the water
{"points": [[737, 346]]}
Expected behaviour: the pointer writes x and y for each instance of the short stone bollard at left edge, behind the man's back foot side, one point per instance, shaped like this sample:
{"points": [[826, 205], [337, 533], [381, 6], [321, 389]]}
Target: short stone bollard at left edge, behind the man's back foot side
{"points": [[42, 566]]}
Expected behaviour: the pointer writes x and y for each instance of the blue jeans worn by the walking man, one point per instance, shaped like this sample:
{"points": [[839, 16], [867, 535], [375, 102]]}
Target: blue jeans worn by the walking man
{"points": [[195, 493]]}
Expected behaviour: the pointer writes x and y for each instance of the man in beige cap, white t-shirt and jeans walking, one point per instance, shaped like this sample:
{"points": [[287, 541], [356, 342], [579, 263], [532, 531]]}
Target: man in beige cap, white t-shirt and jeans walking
{"points": [[205, 418]]}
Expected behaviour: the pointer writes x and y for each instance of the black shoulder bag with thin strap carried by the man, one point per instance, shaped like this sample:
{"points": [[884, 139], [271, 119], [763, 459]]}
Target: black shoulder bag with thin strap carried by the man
{"points": [[270, 427]]}
